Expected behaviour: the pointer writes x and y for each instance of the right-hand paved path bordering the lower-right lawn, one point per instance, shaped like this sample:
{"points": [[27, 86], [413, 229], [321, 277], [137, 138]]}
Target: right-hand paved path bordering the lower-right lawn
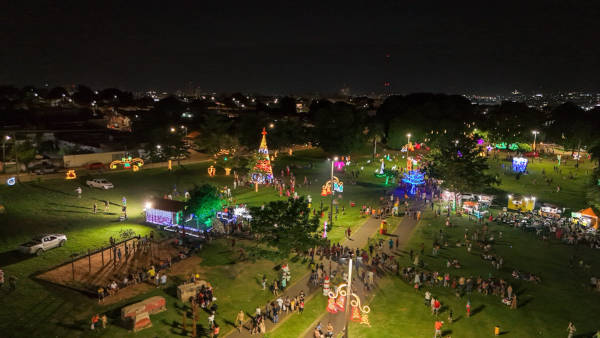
{"points": [[402, 233]]}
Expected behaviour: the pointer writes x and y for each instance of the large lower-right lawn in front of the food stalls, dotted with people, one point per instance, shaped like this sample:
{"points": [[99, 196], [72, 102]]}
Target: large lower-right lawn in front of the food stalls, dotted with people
{"points": [[544, 309]]}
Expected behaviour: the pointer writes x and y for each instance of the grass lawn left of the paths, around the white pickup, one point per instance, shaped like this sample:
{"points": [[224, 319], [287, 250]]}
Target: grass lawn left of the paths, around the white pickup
{"points": [[52, 206]]}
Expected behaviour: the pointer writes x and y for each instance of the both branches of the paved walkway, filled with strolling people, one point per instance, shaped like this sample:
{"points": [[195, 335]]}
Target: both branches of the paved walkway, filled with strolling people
{"points": [[359, 239]]}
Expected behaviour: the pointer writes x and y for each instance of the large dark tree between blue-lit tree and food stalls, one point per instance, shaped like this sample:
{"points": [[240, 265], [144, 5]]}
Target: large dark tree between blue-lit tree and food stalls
{"points": [[460, 167]]}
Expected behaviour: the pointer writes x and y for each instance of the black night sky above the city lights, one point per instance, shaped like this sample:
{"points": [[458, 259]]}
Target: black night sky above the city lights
{"points": [[485, 47]]}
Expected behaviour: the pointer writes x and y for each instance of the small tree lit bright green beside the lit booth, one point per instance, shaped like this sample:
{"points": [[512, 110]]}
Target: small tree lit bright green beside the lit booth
{"points": [[204, 202]]}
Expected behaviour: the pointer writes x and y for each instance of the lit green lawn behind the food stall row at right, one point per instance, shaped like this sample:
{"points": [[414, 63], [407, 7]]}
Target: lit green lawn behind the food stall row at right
{"points": [[572, 193]]}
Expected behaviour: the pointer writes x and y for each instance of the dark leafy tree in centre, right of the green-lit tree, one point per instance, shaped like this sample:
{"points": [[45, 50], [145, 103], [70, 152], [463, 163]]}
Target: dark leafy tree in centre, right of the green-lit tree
{"points": [[286, 225]]}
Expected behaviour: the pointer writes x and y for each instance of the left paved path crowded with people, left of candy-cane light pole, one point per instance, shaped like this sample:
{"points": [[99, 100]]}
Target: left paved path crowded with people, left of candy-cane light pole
{"points": [[358, 239]]}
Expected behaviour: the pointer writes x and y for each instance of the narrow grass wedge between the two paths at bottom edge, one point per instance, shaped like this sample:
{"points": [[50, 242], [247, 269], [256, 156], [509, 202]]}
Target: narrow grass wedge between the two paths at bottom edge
{"points": [[295, 325]]}
